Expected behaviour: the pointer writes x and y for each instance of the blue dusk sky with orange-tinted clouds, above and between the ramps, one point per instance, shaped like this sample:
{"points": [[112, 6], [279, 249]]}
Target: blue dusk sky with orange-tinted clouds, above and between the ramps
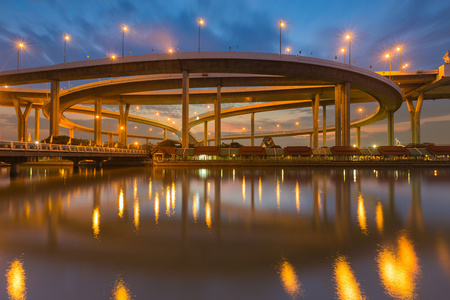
{"points": [[313, 27]]}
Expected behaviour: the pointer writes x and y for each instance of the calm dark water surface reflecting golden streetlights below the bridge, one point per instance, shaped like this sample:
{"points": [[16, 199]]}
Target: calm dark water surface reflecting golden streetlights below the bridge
{"points": [[166, 228]]}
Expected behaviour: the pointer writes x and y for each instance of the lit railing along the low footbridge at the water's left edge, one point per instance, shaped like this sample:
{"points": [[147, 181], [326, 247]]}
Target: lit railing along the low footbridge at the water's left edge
{"points": [[33, 147]]}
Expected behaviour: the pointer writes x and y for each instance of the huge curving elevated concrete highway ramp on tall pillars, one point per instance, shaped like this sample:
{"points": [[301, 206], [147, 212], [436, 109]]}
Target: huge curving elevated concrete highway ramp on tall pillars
{"points": [[181, 79]]}
